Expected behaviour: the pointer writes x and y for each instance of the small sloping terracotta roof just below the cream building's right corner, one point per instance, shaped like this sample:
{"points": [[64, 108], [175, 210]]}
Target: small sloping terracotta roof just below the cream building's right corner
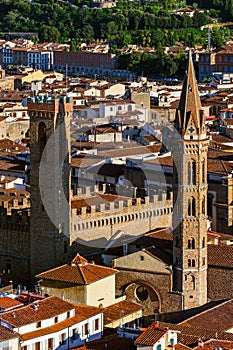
{"points": [[121, 309]]}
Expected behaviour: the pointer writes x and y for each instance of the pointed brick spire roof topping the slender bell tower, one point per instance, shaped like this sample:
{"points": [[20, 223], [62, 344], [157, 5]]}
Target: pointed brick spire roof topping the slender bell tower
{"points": [[189, 113]]}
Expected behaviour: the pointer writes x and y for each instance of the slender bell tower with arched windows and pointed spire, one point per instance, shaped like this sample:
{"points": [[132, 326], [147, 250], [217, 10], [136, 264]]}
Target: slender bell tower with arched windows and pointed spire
{"points": [[189, 150]]}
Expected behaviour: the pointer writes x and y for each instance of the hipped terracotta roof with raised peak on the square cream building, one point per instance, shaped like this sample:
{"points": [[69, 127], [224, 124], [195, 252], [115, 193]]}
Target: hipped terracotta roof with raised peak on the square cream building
{"points": [[79, 273]]}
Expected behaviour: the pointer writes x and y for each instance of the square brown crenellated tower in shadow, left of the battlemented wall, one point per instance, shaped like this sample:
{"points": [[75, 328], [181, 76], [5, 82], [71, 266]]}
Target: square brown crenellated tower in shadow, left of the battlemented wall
{"points": [[49, 147]]}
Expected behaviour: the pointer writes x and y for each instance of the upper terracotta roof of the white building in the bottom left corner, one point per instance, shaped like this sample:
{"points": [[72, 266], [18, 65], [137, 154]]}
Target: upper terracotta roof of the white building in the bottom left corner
{"points": [[46, 308]]}
